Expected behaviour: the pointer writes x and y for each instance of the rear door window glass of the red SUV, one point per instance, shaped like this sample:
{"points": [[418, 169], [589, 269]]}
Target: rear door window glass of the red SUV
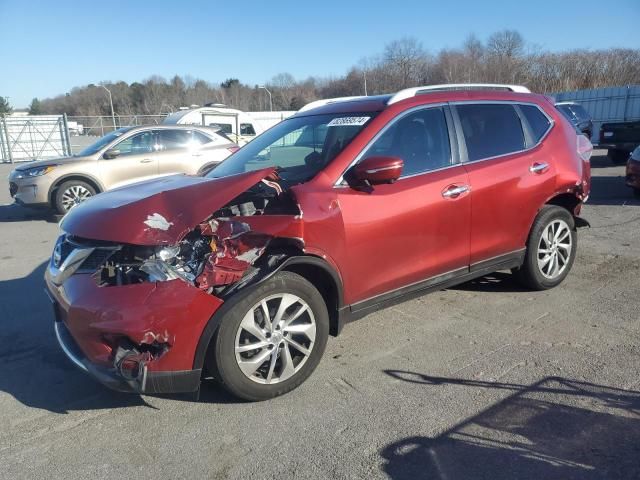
{"points": [[490, 130]]}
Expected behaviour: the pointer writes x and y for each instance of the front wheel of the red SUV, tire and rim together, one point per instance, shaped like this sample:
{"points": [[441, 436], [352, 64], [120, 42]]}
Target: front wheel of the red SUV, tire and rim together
{"points": [[270, 338]]}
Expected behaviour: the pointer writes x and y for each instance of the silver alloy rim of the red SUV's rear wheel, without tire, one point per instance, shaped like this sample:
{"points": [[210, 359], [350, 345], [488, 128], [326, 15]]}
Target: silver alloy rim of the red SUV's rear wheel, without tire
{"points": [[554, 249]]}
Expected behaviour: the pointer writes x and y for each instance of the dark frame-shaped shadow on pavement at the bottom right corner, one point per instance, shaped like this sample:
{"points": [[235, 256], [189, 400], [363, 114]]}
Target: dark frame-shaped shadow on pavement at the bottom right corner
{"points": [[553, 429]]}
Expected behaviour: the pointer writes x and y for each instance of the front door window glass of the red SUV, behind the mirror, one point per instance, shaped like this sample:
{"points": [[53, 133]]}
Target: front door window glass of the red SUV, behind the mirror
{"points": [[420, 139]]}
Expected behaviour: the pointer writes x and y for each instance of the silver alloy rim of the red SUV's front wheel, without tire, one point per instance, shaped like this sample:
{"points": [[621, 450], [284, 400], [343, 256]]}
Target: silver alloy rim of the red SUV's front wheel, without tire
{"points": [[275, 338]]}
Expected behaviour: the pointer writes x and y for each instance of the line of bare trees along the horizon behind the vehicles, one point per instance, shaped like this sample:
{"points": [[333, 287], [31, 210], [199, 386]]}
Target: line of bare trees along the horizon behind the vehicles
{"points": [[504, 58]]}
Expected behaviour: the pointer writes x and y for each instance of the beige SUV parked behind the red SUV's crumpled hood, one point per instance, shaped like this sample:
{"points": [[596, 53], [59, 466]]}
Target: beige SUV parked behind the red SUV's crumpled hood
{"points": [[124, 156]]}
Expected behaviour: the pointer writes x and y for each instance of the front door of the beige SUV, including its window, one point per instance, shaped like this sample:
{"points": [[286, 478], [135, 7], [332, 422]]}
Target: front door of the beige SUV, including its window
{"points": [[135, 162]]}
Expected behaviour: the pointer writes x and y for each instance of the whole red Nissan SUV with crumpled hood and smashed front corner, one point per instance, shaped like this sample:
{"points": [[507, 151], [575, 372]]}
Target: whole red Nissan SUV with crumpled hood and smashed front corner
{"points": [[344, 208]]}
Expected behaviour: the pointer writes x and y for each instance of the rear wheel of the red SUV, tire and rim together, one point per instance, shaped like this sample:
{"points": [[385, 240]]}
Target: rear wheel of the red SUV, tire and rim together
{"points": [[551, 249]]}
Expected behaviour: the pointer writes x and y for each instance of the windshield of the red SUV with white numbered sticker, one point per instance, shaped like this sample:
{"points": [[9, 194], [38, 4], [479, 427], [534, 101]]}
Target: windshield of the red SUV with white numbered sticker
{"points": [[298, 147]]}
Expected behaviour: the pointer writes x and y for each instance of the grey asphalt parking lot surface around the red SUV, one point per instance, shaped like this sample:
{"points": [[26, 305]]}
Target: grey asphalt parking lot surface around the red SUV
{"points": [[484, 380]]}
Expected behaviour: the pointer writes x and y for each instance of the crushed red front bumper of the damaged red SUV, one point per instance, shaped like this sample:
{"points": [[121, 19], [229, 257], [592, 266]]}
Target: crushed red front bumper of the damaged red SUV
{"points": [[94, 325]]}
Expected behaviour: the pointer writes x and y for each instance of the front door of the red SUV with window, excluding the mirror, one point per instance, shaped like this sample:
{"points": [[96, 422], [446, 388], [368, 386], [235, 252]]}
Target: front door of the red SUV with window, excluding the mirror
{"points": [[414, 229]]}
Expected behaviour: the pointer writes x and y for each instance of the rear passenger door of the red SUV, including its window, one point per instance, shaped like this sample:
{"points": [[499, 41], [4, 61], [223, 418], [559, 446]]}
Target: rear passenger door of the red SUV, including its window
{"points": [[510, 175]]}
